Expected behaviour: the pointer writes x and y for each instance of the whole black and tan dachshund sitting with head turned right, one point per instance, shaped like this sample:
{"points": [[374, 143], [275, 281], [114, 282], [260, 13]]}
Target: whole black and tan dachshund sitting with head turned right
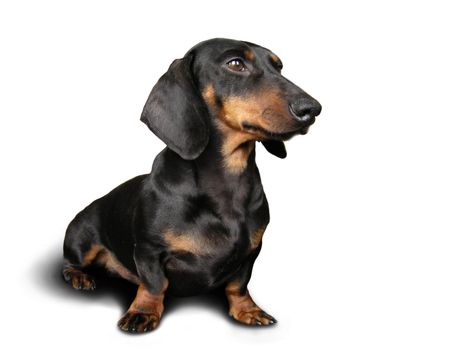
{"points": [[196, 222]]}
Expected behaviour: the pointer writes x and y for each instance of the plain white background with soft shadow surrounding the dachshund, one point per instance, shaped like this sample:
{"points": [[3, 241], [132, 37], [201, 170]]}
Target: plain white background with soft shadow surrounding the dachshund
{"points": [[367, 244]]}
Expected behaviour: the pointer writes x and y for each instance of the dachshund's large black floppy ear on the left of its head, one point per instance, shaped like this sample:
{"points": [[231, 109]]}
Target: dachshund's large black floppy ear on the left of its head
{"points": [[175, 111]]}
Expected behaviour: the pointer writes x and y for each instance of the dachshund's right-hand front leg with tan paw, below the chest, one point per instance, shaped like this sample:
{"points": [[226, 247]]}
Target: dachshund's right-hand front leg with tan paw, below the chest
{"points": [[241, 306]]}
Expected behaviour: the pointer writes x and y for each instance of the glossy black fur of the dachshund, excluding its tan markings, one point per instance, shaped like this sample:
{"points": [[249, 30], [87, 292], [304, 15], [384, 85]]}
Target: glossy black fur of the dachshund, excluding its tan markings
{"points": [[189, 190]]}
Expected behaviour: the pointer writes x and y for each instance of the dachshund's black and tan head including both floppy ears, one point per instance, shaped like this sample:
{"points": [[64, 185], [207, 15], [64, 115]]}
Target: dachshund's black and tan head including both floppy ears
{"points": [[236, 86]]}
